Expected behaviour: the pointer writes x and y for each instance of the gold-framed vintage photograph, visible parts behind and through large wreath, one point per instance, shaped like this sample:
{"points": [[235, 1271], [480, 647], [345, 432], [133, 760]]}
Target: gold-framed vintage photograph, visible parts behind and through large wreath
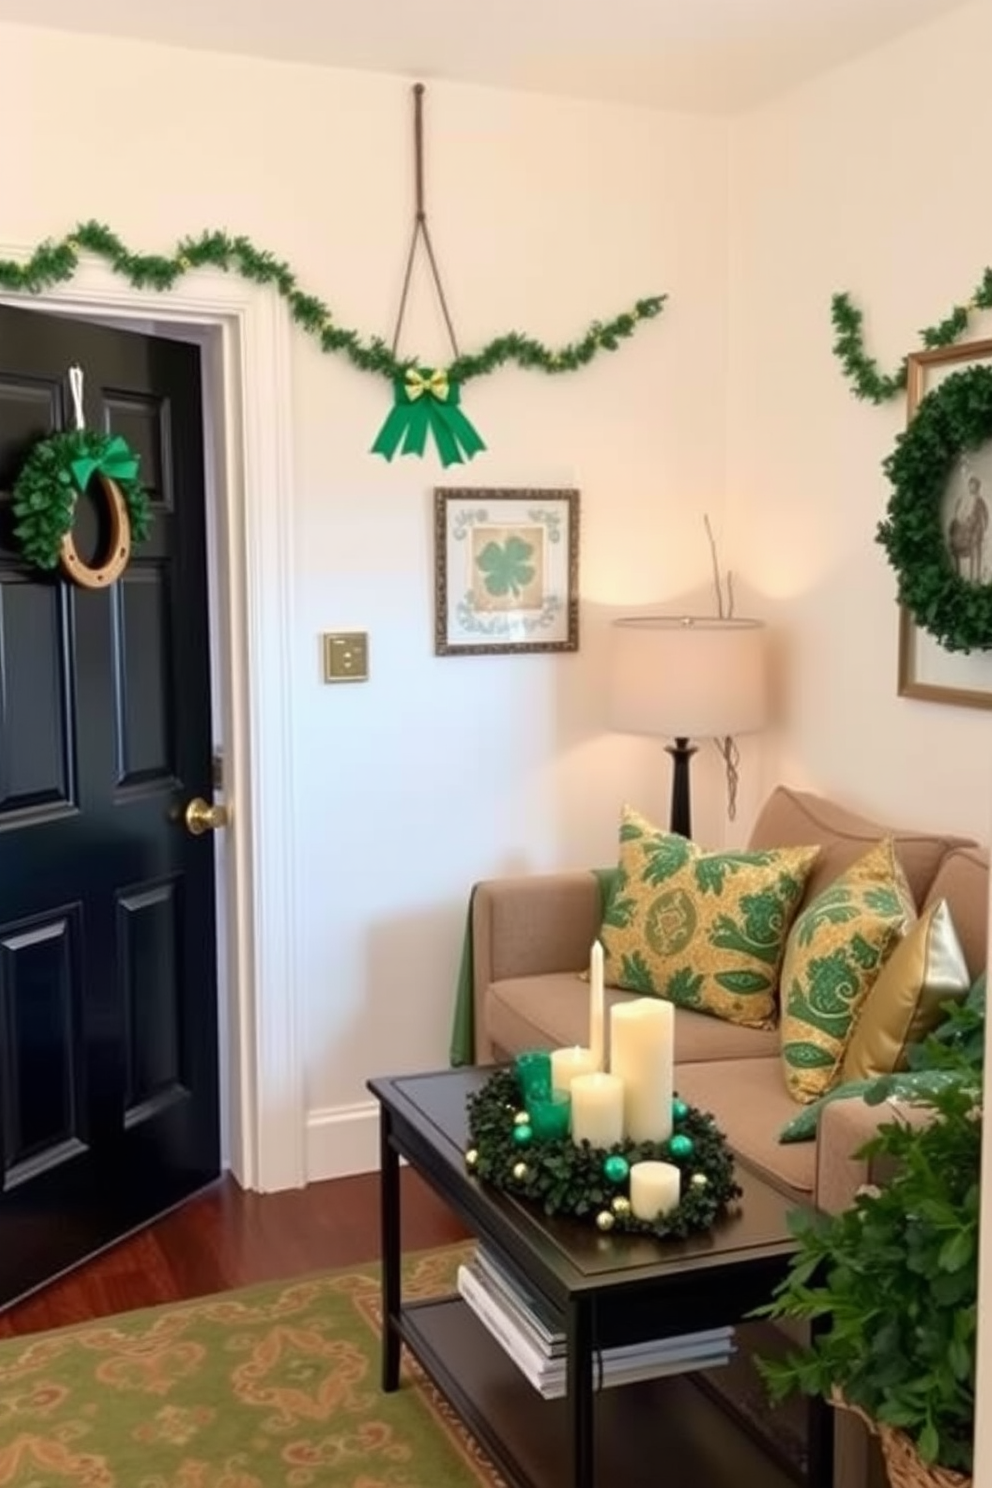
{"points": [[926, 670]]}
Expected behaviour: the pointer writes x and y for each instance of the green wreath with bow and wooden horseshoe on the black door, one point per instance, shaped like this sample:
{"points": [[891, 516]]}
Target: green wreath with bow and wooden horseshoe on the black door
{"points": [[45, 493]]}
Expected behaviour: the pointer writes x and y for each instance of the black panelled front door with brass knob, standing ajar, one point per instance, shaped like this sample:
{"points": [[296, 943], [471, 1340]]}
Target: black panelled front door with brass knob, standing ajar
{"points": [[108, 943]]}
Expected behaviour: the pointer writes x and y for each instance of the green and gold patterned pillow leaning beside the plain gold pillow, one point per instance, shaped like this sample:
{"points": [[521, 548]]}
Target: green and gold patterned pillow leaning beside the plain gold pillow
{"points": [[834, 958]]}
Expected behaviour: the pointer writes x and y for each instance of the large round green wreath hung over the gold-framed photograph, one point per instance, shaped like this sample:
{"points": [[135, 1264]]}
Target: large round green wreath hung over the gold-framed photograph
{"points": [[951, 422]]}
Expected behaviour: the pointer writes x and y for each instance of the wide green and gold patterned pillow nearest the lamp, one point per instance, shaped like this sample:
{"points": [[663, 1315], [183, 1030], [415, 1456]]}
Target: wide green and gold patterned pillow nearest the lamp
{"points": [[706, 931]]}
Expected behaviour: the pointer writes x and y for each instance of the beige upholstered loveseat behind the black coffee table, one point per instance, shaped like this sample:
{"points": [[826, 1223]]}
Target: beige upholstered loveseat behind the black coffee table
{"points": [[532, 938]]}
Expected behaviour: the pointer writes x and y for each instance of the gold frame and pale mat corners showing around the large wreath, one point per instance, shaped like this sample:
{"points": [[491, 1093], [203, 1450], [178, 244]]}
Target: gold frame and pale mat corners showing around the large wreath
{"points": [[926, 670]]}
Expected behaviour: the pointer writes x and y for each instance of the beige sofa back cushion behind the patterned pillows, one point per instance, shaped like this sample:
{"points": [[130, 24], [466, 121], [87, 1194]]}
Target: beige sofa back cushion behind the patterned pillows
{"points": [[798, 816]]}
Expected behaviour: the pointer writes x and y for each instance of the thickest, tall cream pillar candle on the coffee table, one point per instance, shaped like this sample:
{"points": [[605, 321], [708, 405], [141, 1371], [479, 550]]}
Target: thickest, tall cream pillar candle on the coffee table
{"points": [[642, 1053]]}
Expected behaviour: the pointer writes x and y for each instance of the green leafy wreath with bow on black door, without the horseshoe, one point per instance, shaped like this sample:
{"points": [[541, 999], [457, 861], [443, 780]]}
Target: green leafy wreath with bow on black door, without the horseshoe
{"points": [[56, 474]]}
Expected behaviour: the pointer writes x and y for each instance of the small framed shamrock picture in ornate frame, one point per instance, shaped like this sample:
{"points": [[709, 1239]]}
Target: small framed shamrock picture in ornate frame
{"points": [[506, 572]]}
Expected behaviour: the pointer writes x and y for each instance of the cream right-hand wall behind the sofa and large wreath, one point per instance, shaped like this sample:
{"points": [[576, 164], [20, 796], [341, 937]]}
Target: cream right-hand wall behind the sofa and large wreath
{"points": [[868, 181]]}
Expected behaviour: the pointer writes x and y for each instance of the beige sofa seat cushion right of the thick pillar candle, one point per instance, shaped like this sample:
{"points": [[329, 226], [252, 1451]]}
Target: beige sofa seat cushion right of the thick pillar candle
{"points": [[750, 1105]]}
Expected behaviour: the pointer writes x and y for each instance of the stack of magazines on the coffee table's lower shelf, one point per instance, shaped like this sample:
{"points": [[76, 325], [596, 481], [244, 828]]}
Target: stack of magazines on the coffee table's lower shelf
{"points": [[536, 1344]]}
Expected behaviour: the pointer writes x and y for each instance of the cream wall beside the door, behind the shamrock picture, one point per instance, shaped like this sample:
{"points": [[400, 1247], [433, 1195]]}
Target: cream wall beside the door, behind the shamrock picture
{"points": [[545, 215]]}
